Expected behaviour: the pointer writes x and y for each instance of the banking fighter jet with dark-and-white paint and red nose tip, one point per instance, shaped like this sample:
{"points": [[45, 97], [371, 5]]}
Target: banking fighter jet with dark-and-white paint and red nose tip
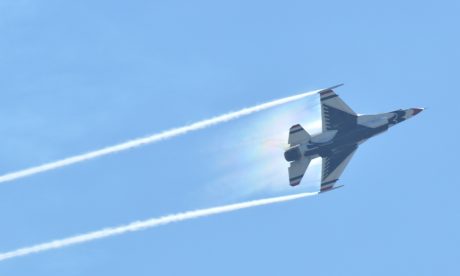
{"points": [[343, 131]]}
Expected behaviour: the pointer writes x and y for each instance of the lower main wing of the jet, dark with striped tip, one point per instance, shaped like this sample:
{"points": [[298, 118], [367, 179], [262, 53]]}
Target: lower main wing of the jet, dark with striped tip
{"points": [[334, 165]]}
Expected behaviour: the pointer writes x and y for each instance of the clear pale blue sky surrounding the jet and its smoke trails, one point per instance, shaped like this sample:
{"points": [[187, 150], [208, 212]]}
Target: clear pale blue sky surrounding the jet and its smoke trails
{"points": [[77, 76]]}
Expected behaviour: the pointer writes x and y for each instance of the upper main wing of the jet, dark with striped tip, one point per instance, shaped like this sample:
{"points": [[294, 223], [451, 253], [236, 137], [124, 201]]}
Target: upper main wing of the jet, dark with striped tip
{"points": [[336, 114]]}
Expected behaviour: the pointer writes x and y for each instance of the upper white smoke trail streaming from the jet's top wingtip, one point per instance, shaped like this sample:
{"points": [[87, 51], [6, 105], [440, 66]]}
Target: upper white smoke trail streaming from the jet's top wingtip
{"points": [[150, 139]]}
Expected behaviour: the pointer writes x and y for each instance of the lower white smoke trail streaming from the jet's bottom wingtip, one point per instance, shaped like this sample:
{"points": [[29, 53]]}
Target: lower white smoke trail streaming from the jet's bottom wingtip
{"points": [[141, 225]]}
